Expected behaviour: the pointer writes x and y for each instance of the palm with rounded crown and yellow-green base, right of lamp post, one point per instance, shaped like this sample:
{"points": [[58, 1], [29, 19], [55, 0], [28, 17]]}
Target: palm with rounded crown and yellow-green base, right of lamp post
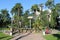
{"points": [[35, 8]]}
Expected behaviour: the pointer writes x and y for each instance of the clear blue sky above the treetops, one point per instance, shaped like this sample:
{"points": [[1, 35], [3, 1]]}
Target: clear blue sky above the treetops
{"points": [[8, 4]]}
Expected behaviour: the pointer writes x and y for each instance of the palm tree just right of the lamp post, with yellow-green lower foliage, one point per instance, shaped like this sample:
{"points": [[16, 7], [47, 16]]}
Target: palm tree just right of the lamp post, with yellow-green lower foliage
{"points": [[36, 24]]}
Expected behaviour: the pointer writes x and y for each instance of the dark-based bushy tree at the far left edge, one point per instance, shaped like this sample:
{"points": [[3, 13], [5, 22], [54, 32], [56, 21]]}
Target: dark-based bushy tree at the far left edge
{"points": [[5, 17]]}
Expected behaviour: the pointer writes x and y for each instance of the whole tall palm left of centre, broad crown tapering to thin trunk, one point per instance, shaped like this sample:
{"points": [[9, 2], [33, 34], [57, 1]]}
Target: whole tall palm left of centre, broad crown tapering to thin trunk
{"points": [[17, 10]]}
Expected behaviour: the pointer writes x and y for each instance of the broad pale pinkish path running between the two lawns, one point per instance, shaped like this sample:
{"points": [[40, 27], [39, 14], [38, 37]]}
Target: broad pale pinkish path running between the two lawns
{"points": [[29, 36]]}
